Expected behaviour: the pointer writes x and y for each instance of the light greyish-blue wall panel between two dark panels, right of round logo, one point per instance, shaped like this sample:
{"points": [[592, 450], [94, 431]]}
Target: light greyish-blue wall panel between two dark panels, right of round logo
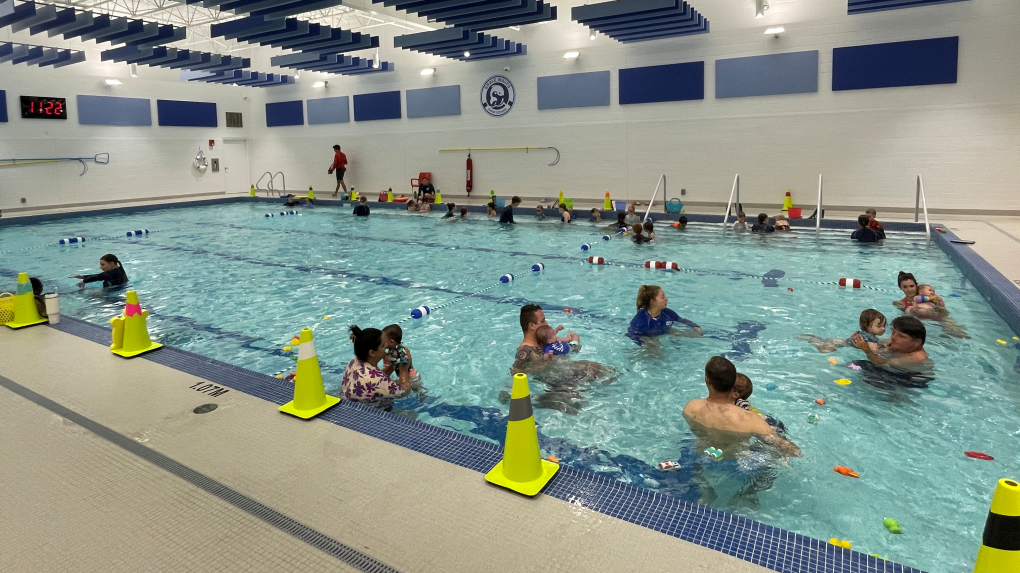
{"points": [[796, 73]]}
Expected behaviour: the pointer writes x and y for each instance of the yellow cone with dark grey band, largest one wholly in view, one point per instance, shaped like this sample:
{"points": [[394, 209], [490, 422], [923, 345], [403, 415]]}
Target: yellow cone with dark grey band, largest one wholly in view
{"points": [[523, 468]]}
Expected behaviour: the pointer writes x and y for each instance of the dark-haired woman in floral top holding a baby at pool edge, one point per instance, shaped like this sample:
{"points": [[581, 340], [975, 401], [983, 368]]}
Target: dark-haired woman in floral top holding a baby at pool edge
{"points": [[364, 382]]}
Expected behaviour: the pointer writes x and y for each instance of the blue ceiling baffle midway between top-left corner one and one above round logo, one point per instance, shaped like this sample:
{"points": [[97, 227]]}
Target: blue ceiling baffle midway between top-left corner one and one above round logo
{"points": [[293, 34]]}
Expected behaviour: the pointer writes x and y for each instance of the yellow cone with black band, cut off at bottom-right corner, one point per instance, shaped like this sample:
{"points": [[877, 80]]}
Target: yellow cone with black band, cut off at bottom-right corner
{"points": [[1000, 551]]}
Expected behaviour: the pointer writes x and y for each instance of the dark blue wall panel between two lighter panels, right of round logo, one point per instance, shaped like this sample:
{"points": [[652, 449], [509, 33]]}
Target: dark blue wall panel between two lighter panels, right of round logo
{"points": [[671, 83]]}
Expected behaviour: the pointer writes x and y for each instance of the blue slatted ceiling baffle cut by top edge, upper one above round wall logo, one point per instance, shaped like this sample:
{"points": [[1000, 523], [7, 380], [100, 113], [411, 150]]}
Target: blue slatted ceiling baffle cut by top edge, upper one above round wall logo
{"points": [[478, 15]]}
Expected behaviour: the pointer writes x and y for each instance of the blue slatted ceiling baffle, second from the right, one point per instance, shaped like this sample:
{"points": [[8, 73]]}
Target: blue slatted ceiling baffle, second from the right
{"points": [[641, 21]]}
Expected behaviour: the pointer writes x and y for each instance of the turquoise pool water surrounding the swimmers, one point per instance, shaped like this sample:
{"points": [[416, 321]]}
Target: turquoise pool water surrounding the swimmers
{"points": [[227, 283]]}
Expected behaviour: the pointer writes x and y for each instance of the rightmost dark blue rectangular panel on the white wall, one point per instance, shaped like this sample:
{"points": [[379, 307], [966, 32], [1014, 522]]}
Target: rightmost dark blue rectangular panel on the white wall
{"points": [[922, 63]]}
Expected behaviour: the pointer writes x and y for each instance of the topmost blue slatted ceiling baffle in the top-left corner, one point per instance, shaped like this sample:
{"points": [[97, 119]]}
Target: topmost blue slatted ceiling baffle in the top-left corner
{"points": [[86, 26]]}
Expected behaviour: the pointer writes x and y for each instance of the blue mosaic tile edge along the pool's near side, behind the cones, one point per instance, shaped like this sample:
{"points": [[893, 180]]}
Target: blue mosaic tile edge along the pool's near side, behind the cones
{"points": [[769, 547]]}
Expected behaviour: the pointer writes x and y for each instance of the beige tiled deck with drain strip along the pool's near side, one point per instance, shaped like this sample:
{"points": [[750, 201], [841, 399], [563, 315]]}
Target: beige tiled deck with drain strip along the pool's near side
{"points": [[100, 458]]}
